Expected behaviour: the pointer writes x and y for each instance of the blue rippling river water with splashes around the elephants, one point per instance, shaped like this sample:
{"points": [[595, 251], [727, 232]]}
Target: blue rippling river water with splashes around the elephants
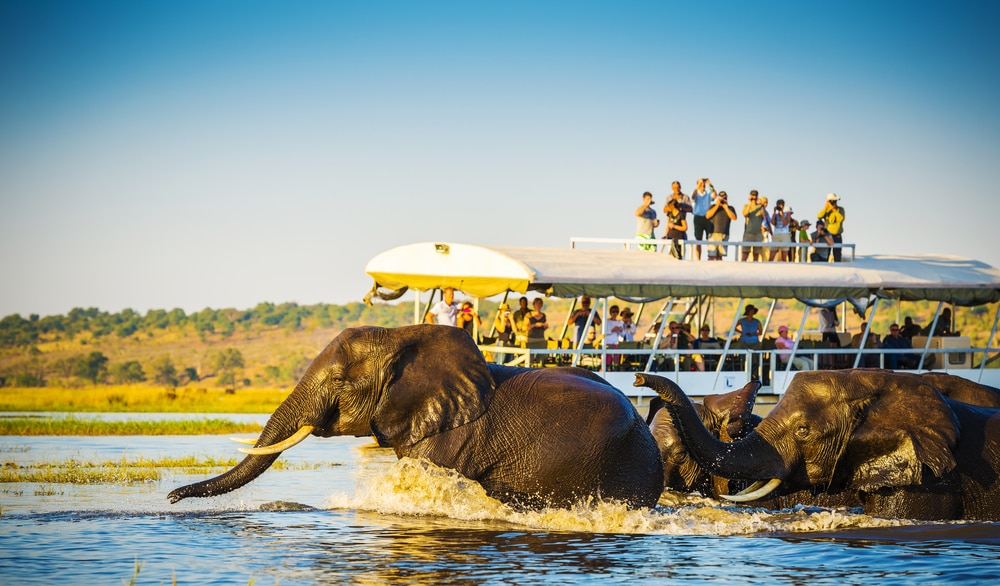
{"points": [[356, 515]]}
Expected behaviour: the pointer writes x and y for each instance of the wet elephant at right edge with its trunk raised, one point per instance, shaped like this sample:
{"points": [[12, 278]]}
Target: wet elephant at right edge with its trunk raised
{"points": [[887, 442]]}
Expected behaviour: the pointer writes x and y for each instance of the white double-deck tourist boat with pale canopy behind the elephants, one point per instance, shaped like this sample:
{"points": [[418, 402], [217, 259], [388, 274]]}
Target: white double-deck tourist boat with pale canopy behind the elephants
{"points": [[666, 288]]}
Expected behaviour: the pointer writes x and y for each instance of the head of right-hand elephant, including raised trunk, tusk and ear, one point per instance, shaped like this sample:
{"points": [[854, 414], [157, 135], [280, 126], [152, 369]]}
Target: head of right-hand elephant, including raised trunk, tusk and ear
{"points": [[860, 430]]}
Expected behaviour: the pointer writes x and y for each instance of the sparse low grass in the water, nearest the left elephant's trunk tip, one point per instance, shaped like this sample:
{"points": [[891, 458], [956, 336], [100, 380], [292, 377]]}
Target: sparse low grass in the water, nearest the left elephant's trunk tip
{"points": [[125, 470]]}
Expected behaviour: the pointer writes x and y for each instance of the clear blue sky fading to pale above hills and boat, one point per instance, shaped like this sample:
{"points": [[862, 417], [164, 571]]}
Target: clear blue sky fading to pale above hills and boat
{"points": [[223, 153]]}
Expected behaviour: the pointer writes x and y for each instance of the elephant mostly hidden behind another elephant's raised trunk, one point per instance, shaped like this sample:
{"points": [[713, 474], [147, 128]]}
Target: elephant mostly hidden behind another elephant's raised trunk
{"points": [[727, 416]]}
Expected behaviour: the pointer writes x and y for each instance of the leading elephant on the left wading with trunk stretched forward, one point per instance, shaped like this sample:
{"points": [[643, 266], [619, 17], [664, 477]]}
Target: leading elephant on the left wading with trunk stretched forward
{"points": [[531, 437]]}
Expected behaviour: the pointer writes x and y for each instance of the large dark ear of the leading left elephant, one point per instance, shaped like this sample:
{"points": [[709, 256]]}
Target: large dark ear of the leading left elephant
{"points": [[437, 380]]}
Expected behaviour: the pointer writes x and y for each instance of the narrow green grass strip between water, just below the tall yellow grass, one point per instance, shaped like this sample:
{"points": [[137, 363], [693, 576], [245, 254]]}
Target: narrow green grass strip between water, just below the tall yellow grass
{"points": [[77, 426]]}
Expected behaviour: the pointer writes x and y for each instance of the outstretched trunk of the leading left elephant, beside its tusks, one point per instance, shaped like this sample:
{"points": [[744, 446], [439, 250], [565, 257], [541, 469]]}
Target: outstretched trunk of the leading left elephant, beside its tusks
{"points": [[281, 425]]}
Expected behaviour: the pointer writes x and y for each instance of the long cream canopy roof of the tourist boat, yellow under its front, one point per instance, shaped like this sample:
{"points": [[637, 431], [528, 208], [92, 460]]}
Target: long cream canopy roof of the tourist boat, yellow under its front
{"points": [[634, 275]]}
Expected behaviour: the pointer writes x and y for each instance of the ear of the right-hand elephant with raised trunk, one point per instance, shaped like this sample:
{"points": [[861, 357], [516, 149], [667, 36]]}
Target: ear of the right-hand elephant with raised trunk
{"points": [[906, 426]]}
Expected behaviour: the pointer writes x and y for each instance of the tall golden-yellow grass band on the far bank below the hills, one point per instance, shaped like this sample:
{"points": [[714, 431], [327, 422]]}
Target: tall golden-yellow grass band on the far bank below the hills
{"points": [[140, 399]]}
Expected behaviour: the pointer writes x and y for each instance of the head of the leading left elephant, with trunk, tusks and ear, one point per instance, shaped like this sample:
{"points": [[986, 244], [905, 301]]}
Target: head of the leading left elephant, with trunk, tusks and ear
{"points": [[400, 385]]}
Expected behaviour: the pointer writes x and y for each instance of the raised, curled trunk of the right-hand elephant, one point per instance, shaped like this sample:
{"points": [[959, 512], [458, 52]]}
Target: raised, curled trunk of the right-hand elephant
{"points": [[752, 458]]}
